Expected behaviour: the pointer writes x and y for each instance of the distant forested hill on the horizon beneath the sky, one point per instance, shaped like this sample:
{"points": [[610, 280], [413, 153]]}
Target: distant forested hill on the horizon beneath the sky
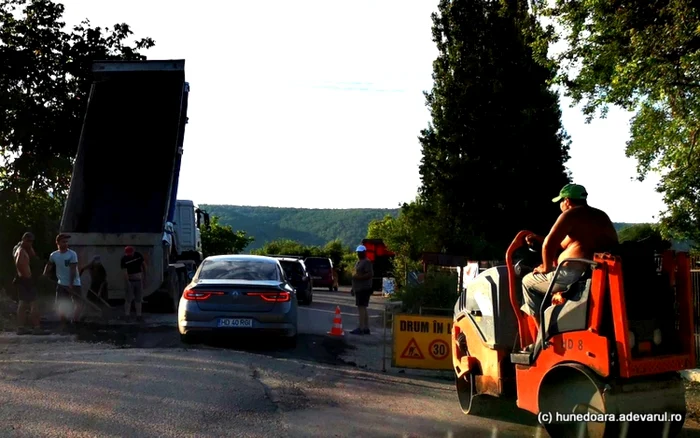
{"points": [[308, 226]]}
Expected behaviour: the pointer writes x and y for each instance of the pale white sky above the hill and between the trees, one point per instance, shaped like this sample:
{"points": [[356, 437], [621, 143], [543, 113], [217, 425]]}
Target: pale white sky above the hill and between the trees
{"points": [[319, 104]]}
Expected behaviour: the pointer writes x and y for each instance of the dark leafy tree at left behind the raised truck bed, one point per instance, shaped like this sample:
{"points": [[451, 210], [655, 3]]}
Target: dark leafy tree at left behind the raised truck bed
{"points": [[45, 79]]}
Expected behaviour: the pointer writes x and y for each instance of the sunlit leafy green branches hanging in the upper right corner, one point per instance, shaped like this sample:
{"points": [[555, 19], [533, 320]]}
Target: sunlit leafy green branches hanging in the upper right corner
{"points": [[641, 56]]}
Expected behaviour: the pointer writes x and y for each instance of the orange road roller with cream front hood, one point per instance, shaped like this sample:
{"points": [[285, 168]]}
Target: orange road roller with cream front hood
{"points": [[604, 362]]}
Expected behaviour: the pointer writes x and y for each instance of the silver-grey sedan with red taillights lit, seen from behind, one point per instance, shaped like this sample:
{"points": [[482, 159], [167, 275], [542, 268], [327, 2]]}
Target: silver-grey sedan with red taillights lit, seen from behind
{"points": [[239, 295]]}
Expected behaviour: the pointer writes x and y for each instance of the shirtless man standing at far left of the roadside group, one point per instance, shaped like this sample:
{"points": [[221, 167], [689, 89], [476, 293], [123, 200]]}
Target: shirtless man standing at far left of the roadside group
{"points": [[26, 291]]}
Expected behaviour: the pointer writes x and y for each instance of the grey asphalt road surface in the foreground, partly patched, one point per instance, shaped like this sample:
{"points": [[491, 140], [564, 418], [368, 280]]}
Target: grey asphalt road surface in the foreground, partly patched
{"points": [[144, 383]]}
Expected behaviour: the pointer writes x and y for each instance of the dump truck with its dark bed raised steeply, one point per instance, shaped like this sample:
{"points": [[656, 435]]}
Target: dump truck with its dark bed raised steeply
{"points": [[124, 184]]}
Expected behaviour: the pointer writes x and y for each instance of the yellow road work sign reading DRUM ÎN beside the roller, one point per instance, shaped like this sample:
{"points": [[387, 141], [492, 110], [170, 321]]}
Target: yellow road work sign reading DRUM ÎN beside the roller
{"points": [[422, 342]]}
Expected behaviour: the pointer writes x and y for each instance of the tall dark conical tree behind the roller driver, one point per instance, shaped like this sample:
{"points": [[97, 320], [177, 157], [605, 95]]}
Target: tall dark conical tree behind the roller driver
{"points": [[494, 153]]}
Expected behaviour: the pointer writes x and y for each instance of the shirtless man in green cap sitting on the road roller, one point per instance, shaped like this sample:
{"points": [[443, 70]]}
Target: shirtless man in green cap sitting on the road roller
{"points": [[579, 232]]}
